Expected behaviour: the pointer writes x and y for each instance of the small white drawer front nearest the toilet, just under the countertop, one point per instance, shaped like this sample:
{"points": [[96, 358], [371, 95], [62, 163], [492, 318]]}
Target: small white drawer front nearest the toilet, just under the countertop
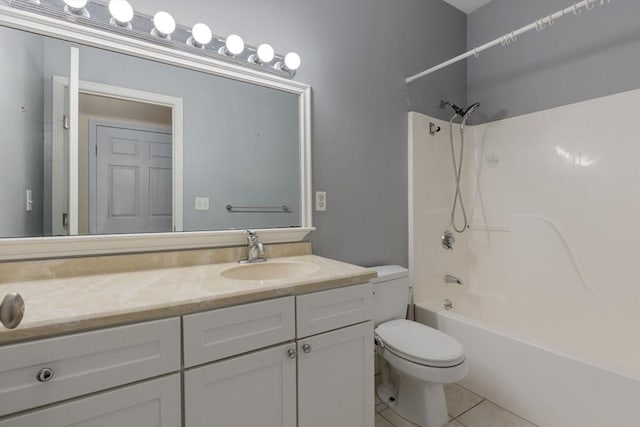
{"points": [[327, 310]]}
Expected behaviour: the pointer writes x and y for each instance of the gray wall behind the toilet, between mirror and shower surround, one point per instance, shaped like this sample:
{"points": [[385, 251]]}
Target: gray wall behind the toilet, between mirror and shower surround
{"points": [[355, 55]]}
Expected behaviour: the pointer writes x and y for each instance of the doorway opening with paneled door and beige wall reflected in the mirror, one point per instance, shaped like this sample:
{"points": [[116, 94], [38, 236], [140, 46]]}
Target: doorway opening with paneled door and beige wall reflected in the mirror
{"points": [[126, 183]]}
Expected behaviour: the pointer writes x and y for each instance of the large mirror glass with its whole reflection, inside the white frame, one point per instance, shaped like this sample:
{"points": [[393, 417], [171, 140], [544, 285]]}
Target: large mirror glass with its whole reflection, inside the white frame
{"points": [[241, 145]]}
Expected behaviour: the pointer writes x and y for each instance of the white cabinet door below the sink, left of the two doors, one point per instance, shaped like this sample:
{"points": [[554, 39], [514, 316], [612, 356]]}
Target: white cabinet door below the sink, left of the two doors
{"points": [[257, 389]]}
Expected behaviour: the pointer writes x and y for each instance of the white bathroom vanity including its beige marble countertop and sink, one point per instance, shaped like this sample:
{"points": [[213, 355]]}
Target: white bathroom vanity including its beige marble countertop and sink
{"points": [[189, 346]]}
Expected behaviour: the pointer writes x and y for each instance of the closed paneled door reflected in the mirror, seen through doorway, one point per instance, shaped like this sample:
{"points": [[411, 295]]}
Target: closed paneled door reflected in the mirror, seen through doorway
{"points": [[131, 180]]}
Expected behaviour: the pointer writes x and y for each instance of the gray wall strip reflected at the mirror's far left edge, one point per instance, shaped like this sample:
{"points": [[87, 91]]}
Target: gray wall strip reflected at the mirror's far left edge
{"points": [[21, 92]]}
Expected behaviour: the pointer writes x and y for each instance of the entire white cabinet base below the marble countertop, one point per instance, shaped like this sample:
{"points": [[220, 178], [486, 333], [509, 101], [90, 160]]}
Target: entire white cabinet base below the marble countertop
{"points": [[292, 361]]}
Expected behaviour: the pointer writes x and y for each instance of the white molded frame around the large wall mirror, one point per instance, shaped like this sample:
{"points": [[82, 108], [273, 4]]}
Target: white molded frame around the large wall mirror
{"points": [[67, 246]]}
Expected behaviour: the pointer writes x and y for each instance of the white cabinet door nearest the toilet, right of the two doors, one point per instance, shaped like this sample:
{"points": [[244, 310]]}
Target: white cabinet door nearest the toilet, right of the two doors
{"points": [[335, 378]]}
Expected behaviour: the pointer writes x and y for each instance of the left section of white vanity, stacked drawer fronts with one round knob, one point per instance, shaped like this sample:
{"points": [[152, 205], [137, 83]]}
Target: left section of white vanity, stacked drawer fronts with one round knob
{"points": [[37, 373]]}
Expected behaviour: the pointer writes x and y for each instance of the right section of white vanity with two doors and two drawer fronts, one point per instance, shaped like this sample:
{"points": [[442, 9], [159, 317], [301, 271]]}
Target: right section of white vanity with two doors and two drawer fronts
{"points": [[317, 369]]}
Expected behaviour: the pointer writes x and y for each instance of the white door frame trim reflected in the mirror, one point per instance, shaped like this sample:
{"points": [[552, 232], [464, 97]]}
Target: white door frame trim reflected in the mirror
{"points": [[60, 169]]}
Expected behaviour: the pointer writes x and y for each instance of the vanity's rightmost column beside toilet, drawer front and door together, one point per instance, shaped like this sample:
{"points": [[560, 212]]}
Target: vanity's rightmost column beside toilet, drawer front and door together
{"points": [[335, 368]]}
